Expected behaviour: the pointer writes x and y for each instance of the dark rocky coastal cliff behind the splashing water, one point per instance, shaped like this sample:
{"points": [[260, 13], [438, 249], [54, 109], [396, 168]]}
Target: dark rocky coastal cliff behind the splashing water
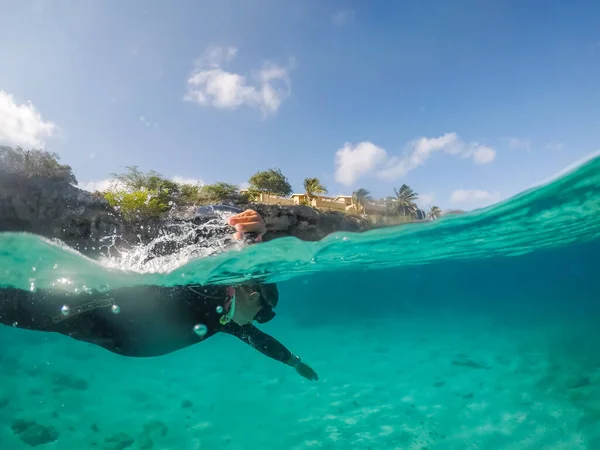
{"points": [[84, 221]]}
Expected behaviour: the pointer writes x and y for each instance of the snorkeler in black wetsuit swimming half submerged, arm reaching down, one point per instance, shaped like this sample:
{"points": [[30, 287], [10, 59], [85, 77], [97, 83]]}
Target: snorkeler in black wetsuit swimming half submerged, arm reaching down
{"points": [[146, 321]]}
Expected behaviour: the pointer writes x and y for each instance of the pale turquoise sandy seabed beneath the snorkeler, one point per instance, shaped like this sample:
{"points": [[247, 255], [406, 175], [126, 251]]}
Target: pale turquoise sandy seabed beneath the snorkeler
{"points": [[414, 383]]}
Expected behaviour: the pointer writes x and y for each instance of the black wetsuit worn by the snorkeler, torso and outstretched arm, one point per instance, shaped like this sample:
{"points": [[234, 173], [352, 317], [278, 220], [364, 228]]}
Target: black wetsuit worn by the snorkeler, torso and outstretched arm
{"points": [[133, 321]]}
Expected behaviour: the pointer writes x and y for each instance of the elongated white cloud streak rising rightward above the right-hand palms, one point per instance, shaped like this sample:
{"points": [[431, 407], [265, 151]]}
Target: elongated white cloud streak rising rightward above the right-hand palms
{"points": [[420, 150]]}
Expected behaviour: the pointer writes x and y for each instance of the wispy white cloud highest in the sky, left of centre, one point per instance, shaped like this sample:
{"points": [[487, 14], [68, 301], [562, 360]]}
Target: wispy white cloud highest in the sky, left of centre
{"points": [[211, 86]]}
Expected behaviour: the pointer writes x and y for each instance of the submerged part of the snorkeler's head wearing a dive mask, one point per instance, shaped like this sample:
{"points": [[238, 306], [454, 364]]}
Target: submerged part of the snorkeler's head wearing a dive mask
{"points": [[255, 302]]}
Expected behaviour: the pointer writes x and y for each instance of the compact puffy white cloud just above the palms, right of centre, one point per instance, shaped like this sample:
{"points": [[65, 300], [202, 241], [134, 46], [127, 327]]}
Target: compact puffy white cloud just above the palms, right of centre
{"points": [[352, 162]]}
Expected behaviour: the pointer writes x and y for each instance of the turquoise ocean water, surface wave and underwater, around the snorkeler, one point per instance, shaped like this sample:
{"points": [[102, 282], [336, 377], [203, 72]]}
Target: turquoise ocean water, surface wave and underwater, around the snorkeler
{"points": [[477, 331]]}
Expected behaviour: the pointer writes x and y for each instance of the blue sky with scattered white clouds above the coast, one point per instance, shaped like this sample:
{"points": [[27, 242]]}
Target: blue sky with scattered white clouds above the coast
{"points": [[468, 102]]}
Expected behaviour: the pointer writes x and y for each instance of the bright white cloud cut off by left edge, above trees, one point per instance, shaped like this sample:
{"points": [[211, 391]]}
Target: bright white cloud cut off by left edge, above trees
{"points": [[22, 125]]}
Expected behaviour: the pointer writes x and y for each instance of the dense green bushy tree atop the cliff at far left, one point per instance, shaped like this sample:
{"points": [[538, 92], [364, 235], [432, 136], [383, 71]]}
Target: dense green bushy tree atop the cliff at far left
{"points": [[35, 163]]}
